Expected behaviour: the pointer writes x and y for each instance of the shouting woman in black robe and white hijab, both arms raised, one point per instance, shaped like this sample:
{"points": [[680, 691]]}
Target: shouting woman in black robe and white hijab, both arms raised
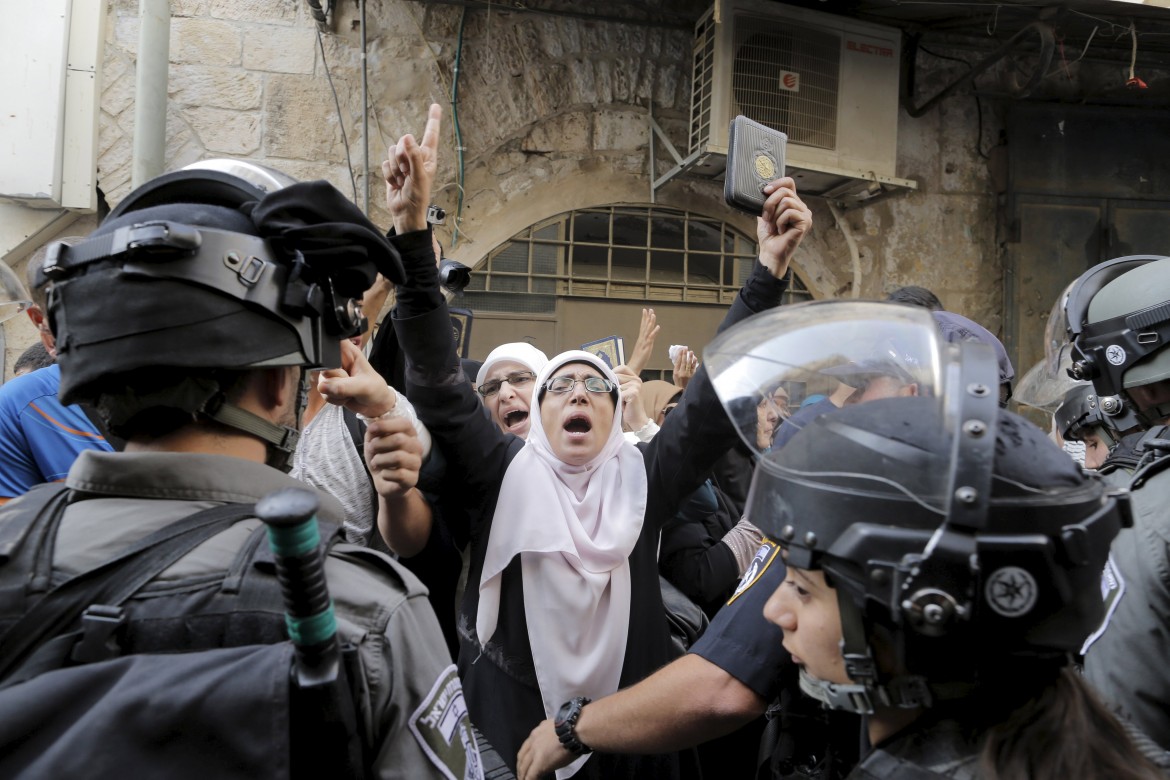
{"points": [[563, 600]]}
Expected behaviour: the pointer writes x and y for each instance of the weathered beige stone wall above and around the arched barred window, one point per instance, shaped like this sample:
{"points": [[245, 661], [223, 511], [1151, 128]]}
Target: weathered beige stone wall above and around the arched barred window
{"points": [[554, 113]]}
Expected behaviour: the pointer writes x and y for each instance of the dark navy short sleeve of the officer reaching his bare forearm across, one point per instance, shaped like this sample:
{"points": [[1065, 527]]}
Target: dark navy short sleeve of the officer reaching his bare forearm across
{"points": [[740, 641]]}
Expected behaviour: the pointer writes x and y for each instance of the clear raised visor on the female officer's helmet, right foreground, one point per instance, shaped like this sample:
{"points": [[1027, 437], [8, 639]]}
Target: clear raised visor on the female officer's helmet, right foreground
{"points": [[856, 354]]}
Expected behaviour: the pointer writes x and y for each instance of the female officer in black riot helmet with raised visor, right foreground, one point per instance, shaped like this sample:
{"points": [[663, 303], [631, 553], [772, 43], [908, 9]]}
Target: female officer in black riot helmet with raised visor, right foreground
{"points": [[944, 557]]}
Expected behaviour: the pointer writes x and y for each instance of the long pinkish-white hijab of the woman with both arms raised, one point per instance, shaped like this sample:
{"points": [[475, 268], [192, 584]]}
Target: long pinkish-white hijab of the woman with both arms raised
{"points": [[574, 529]]}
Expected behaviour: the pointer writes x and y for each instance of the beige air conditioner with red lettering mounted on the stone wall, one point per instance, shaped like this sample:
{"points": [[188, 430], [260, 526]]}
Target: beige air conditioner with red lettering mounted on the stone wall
{"points": [[830, 82]]}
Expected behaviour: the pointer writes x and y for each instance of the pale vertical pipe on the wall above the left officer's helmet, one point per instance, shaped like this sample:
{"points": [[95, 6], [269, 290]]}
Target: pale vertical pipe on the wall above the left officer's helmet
{"points": [[150, 91]]}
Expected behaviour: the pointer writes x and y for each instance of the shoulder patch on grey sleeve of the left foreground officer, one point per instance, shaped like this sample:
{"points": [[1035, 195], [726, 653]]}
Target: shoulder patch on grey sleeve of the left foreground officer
{"points": [[444, 731]]}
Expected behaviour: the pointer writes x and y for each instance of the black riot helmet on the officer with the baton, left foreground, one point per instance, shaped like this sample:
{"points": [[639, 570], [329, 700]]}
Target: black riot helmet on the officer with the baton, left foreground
{"points": [[221, 267]]}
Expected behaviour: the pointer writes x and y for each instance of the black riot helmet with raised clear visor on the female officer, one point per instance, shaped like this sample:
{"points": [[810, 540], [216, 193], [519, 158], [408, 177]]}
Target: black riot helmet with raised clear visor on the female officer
{"points": [[955, 531]]}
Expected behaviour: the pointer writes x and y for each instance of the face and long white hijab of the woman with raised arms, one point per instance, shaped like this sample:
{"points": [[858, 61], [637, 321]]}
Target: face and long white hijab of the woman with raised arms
{"points": [[572, 510]]}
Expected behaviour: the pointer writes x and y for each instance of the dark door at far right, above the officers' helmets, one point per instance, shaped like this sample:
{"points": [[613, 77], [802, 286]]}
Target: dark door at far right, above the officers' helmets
{"points": [[1085, 185]]}
